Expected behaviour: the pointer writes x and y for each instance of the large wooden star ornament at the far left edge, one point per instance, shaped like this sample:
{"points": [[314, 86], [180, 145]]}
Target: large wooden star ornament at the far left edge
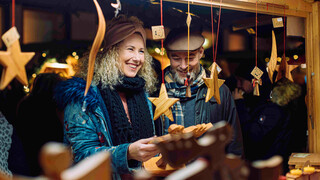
{"points": [[14, 61]]}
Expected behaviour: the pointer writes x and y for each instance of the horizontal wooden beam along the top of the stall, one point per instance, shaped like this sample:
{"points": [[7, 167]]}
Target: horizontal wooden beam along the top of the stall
{"points": [[275, 7]]}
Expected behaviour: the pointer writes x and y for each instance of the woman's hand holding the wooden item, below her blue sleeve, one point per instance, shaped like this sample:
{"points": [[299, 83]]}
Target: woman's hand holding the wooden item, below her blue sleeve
{"points": [[141, 150]]}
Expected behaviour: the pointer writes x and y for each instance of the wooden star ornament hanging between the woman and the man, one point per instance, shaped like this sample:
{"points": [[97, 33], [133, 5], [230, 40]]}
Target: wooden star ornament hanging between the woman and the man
{"points": [[163, 103]]}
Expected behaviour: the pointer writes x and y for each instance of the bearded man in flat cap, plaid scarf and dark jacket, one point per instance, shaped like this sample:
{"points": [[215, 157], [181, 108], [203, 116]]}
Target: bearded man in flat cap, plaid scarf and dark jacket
{"points": [[194, 110]]}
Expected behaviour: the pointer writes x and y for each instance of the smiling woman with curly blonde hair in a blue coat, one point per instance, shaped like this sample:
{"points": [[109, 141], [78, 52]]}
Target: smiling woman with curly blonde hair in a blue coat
{"points": [[117, 117]]}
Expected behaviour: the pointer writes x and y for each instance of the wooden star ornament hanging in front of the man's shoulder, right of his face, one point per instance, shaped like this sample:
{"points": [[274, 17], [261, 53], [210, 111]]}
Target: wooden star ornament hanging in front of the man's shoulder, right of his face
{"points": [[213, 84]]}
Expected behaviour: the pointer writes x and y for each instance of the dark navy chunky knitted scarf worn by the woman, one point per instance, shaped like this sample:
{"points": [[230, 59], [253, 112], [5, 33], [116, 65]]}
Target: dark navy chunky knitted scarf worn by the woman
{"points": [[141, 120]]}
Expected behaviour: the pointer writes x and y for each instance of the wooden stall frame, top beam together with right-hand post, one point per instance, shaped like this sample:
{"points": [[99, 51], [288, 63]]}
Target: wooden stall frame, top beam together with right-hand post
{"points": [[310, 10]]}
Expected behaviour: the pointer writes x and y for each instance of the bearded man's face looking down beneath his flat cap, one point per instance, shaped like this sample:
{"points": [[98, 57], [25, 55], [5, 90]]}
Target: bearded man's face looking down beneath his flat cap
{"points": [[179, 64]]}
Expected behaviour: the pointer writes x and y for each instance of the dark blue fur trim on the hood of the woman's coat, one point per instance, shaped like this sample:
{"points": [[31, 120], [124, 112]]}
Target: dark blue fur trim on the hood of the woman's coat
{"points": [[72, 91]]}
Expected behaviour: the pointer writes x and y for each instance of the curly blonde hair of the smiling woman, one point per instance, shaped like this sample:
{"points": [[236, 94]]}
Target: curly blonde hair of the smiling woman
{"points": [[107, 69]]}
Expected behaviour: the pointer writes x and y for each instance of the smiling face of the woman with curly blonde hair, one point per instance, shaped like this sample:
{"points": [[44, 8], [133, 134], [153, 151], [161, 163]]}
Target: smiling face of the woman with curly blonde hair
{"points": [[131, 55]]}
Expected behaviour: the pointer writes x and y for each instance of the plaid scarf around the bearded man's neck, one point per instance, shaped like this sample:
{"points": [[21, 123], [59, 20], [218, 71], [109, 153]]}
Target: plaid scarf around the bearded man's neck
{"points": [[179, 91]]}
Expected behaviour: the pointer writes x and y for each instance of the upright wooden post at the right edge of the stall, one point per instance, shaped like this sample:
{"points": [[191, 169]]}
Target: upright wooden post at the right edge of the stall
{"points": [[313, 77]]}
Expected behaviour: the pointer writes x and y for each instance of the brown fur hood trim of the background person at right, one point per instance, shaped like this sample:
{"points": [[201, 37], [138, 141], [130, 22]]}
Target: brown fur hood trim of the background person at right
{"points": [[284, 92]]}
